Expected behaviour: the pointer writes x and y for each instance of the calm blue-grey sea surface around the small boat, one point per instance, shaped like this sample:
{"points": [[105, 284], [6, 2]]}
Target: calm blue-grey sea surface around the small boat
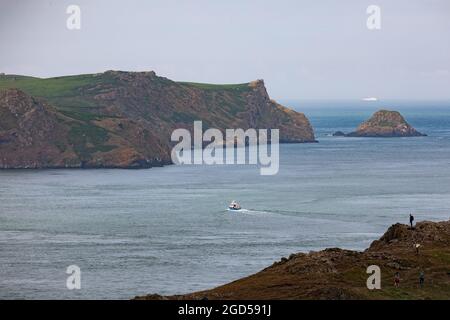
{"points": [[165, 230]]}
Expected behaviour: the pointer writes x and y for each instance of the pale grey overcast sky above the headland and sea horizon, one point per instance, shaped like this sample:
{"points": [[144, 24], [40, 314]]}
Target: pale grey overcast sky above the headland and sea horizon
{"points": [[302, 49]]}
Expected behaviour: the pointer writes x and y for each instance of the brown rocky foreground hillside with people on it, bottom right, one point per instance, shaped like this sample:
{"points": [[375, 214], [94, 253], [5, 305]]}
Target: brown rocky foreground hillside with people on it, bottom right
{"points": [[341, 274]]}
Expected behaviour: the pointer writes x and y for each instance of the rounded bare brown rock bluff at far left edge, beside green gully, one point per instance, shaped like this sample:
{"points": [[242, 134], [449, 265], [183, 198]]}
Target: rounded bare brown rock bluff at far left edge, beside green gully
{"points": [[30, 133]]}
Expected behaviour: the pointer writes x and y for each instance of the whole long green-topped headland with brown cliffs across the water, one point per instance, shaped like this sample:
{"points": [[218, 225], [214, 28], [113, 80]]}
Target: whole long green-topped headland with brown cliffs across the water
{"points": [[124, 119]]}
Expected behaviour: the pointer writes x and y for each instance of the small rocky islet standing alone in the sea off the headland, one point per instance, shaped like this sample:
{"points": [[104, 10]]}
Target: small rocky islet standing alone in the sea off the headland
{"points": [[383, 124]]}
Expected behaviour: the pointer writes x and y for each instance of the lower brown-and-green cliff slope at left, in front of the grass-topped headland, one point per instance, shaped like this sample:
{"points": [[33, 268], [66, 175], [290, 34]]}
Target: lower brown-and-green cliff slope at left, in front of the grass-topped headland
{"points": [[35, 135]]}
